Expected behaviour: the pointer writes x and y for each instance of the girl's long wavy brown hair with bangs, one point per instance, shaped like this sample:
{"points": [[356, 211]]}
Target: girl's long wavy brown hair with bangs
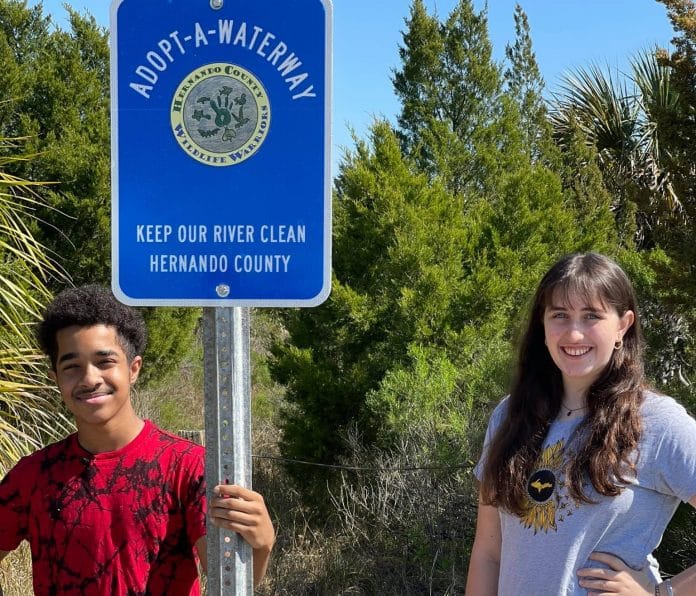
{"points": [[610, 431]]}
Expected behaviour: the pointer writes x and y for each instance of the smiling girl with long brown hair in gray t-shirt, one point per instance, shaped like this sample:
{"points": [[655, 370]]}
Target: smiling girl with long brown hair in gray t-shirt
{"points": [[583, 467]]}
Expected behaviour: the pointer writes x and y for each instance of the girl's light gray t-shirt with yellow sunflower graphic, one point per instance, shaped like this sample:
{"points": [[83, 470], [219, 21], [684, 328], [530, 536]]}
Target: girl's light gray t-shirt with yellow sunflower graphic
{"points": [[542, 551]]}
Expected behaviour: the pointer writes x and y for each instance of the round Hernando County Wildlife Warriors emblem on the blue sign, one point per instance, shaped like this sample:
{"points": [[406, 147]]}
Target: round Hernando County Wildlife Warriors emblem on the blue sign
{"points": [[220, 114]]}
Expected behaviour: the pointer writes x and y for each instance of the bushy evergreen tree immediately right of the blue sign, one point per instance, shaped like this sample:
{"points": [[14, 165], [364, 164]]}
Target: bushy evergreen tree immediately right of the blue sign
{"points": [[397, 246]]}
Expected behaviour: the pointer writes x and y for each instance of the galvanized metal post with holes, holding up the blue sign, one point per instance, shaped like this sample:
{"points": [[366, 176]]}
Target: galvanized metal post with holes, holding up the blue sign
{"points": [[228, 440]]}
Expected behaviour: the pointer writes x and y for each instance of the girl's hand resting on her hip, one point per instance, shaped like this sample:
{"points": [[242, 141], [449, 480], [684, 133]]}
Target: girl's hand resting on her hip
{"points": [[618, 579]]}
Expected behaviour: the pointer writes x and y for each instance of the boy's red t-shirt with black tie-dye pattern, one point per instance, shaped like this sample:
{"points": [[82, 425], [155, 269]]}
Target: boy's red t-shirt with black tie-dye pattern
{"points": [[119, 523]]}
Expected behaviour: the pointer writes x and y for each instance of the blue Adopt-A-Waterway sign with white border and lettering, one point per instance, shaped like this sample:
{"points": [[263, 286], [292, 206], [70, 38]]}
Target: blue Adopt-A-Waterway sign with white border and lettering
{"points": [[221, 182]]}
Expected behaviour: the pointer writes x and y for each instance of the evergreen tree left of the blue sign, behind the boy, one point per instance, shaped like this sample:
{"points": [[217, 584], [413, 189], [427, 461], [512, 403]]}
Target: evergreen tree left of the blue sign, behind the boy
{"points": [[54, 93]]}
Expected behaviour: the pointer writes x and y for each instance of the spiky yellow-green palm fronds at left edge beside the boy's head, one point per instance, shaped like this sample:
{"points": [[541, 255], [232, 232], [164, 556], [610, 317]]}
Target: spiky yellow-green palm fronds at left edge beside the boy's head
{"points": [[30, 409]]}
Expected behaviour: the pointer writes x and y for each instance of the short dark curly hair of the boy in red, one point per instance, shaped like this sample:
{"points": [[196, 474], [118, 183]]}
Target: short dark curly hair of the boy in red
{"points": [[87, 306]]}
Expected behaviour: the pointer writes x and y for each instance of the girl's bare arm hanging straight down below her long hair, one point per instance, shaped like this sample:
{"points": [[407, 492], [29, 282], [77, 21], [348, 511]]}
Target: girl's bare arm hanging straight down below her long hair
{"points": [[484, 565]]}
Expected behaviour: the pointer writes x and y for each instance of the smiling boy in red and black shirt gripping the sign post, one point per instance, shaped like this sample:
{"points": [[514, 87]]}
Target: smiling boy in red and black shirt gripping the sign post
{"points": [[118, 507]]}
